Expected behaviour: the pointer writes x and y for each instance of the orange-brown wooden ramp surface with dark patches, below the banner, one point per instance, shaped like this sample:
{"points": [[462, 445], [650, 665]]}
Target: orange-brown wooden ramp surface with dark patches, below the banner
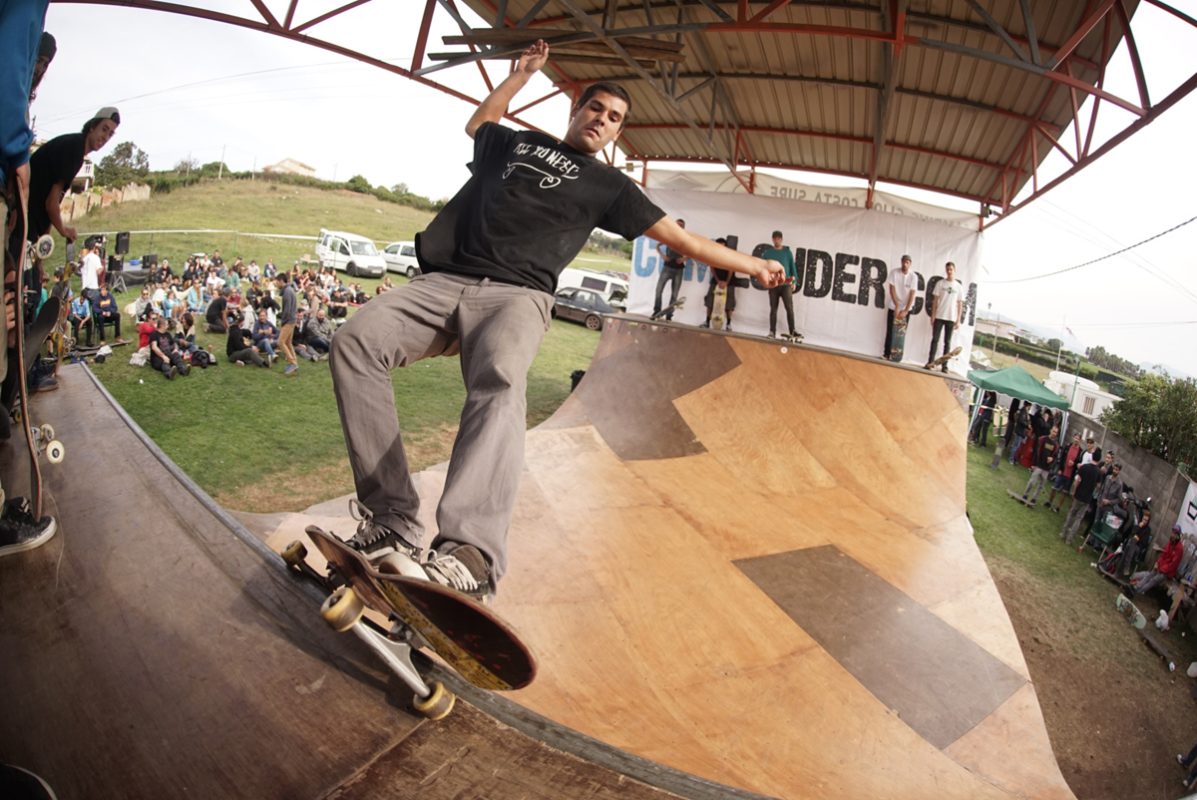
{"points": [[752, 563]]}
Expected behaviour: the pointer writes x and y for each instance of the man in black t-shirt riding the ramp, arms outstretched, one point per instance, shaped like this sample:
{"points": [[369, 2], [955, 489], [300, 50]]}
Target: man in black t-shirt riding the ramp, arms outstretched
{"points": [[490, 262]]}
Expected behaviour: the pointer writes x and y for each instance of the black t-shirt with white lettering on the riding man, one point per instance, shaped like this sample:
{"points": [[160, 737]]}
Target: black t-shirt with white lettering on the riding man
{"points": [[528, 209]]}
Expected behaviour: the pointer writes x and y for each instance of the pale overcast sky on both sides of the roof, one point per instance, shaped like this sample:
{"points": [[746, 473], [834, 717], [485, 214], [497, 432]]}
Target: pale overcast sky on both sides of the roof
{"points": [[203, 90]]}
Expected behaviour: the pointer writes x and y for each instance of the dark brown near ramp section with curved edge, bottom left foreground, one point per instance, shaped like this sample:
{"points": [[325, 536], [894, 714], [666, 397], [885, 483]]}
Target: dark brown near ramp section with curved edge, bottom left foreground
{"points": [[156, 649]]}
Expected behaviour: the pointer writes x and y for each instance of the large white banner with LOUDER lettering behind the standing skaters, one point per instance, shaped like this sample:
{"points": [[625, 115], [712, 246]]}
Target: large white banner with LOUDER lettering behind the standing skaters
{"points": [[843, 258]]}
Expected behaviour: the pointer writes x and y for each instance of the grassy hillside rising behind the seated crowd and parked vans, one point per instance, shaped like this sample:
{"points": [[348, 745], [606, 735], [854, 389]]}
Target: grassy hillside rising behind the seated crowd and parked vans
{"points": [[251, 208]]}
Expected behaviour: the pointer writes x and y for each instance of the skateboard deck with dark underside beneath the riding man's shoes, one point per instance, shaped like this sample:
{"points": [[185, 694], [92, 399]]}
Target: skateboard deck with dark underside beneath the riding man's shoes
{"points": [[467, 635]]}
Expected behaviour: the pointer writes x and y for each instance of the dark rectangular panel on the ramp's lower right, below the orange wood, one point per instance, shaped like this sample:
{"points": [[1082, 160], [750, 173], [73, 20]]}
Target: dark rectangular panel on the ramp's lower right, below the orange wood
{"points": [[940, 682]]}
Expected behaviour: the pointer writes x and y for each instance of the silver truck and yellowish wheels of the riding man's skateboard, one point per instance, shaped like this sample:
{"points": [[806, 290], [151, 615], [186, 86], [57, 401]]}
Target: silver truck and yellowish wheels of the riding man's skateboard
{"points": [[344, 611]]}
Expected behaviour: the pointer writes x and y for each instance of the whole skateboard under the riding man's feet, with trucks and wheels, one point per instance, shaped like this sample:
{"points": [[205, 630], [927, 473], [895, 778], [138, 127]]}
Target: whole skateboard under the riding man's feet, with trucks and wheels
{"points": [[467, 635]]}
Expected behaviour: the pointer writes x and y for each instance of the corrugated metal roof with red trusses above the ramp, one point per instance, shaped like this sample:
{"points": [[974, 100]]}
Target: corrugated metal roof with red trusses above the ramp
{"points": [[964, 98]]}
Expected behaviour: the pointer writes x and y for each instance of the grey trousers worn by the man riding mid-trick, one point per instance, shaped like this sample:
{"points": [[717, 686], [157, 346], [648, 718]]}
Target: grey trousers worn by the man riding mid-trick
{"points": [[497, 329]]}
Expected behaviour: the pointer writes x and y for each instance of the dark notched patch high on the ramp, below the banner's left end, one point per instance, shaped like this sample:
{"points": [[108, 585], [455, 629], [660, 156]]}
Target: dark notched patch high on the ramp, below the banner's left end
{"points": [[655, 429]]}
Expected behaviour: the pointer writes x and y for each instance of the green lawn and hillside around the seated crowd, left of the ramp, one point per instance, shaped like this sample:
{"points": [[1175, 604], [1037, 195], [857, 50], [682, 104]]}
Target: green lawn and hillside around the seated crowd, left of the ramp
{"points": [[252, 439]]}
